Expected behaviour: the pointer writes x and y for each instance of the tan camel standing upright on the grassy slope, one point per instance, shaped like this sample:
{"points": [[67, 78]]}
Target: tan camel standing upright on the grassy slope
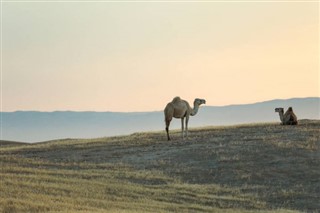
{"points": [[179, 108]]}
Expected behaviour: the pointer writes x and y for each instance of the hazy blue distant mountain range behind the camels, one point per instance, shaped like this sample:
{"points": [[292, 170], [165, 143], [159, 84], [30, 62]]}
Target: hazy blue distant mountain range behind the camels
{"points": [[33, 126]]}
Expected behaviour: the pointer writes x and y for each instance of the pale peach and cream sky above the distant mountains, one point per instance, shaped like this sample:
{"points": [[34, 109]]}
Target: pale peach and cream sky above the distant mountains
{"points": [[137, 56]]}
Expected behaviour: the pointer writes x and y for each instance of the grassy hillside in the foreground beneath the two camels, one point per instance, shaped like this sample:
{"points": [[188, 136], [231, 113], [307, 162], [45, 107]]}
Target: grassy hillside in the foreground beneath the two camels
{"points": [[244, 168]]}
